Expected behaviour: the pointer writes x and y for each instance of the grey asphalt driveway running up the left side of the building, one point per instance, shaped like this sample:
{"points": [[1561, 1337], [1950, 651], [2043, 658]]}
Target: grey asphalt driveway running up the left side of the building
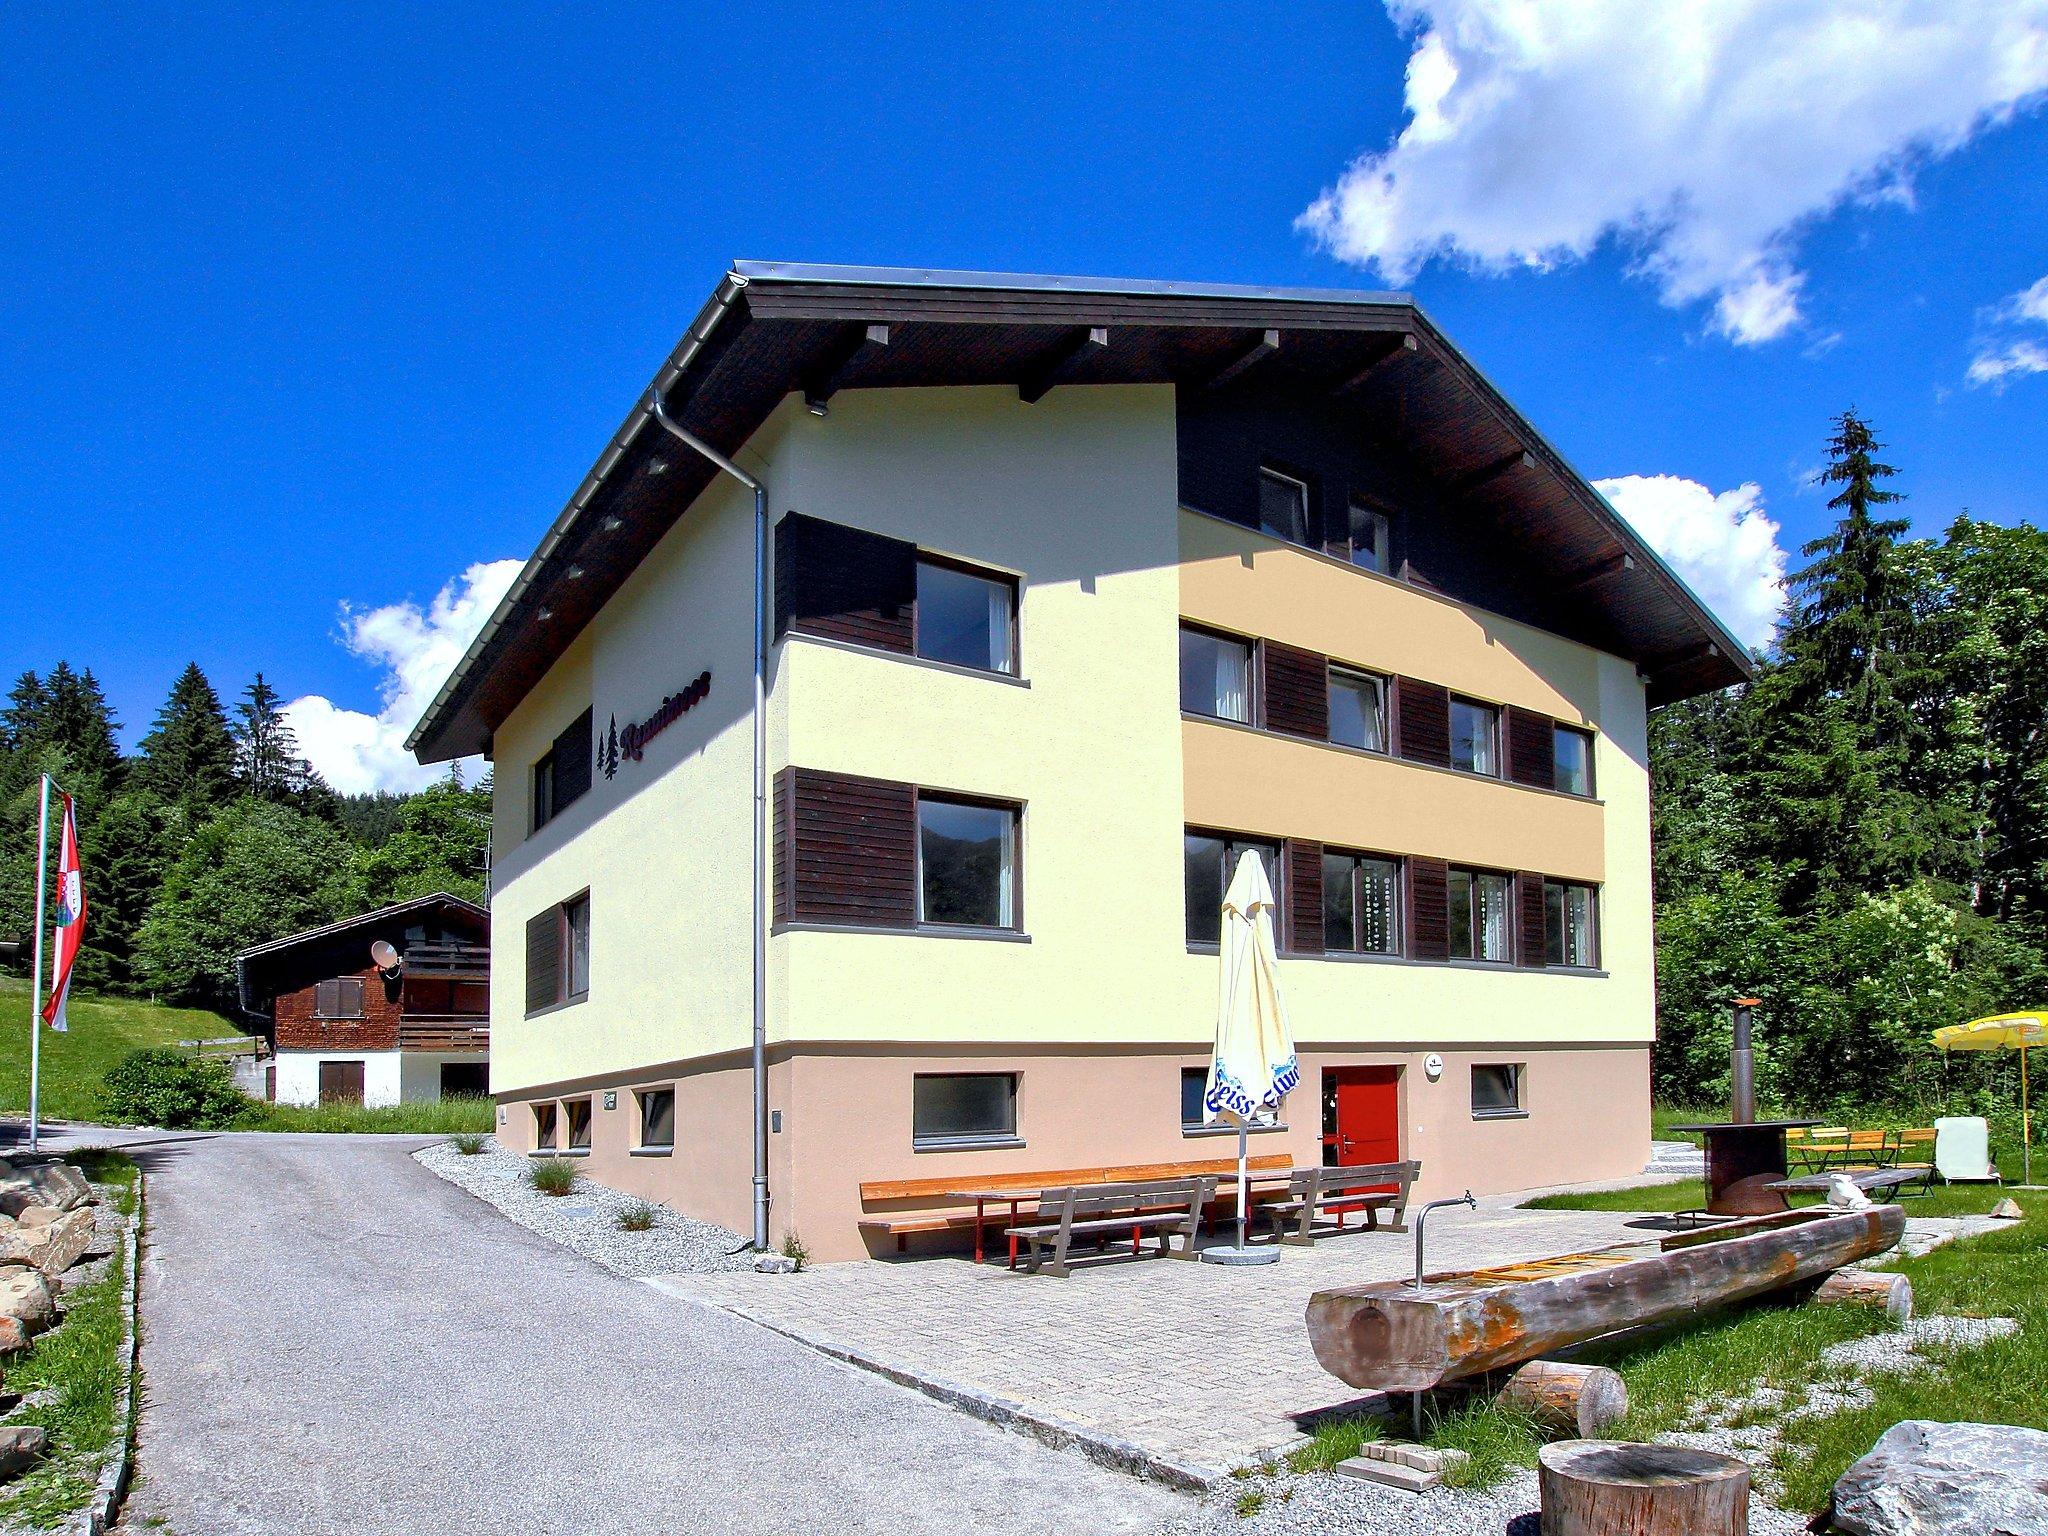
{"points": [[335, 1340]]}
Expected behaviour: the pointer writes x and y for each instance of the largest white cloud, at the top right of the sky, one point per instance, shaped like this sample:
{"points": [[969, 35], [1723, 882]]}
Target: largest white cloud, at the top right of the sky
{"points": [[1699, 134]]}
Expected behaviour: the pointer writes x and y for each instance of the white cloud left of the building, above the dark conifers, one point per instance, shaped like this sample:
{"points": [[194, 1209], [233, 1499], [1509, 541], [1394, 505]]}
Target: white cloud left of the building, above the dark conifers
{"points": [[417, 650]]}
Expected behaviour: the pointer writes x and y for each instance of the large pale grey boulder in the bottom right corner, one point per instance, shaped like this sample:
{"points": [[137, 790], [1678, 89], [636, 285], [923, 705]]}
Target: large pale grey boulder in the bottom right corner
{"points": [[1947, 1480]]}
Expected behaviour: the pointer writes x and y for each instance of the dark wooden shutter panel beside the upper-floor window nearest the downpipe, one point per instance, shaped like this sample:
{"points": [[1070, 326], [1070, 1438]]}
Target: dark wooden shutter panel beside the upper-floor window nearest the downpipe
{"points": [[845, 583]]}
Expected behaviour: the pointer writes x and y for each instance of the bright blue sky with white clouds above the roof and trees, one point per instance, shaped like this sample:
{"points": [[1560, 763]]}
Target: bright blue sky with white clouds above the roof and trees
{"points": [[306, 308]]}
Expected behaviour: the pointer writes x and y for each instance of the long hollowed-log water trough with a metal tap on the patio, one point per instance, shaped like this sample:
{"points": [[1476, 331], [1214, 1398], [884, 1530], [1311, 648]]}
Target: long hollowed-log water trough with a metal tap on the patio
{"points": [[1398, 1338]]}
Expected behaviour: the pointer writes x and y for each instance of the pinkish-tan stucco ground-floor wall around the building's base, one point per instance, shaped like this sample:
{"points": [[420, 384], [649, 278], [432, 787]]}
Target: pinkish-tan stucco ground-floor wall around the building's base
{"points": [[847, 1119]]}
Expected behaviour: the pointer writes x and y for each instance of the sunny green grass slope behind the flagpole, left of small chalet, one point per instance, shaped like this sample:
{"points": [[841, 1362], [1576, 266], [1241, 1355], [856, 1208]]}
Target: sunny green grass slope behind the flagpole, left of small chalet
{"points": [[103, 1031]]}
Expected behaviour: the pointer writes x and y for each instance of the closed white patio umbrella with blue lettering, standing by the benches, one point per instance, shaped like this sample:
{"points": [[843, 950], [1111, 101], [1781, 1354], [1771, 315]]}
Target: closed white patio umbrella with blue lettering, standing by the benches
{"points": [[1252, 1066]]}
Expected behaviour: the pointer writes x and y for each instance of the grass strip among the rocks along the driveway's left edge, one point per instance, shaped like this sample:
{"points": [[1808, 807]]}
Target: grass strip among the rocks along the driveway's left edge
{"points": [[77, 1371]]}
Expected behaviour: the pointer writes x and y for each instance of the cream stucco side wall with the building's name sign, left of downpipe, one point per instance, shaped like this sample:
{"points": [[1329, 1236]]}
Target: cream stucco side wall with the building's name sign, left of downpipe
{"points": [[665, 845]]}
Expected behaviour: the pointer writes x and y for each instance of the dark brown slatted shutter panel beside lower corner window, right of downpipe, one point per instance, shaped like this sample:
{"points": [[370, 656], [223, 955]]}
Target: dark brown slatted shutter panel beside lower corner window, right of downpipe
{"points": [[853, 851]]}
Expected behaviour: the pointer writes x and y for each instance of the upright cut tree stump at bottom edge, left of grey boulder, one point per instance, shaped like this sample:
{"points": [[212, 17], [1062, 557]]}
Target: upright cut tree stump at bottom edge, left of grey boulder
{"points": [[1607, 1488]]}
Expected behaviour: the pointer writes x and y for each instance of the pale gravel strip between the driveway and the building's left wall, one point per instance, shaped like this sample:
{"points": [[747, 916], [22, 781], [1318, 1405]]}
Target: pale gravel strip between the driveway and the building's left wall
{"points": [[587, 1220]]}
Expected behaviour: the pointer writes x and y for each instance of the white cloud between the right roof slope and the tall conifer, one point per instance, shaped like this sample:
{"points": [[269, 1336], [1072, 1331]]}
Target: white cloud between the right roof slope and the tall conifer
{"points": [[1723, 546]]}
